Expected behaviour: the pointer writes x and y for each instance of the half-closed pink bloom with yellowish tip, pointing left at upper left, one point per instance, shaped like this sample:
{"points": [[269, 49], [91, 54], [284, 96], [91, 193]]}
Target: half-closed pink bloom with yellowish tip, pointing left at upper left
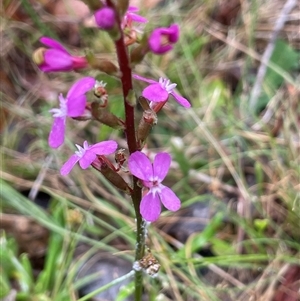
{"points": [[57, 58]]}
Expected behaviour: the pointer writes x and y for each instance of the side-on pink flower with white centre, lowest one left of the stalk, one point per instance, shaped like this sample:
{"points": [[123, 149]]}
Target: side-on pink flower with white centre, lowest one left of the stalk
{"points": [[87, 154]]}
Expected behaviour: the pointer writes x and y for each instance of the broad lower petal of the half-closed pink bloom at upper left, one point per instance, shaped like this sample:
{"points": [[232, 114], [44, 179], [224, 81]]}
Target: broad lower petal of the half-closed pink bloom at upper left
{"points": [[55, 60]]}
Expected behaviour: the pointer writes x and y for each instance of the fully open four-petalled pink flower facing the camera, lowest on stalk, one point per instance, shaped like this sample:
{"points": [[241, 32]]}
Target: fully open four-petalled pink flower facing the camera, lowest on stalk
{"points": [[152, 175]]}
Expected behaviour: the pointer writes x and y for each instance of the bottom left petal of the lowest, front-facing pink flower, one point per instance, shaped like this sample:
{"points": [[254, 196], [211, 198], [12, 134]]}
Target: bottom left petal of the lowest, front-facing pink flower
{"points": [[150, 207]]}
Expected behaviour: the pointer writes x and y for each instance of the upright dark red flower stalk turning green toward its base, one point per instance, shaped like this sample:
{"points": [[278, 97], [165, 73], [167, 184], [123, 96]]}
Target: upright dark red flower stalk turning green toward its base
{"points": [[130, 132]]}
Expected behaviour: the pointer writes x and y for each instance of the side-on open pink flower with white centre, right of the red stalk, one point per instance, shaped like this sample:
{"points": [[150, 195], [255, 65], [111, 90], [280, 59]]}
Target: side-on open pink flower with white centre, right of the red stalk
{"points": [[159, 91]]}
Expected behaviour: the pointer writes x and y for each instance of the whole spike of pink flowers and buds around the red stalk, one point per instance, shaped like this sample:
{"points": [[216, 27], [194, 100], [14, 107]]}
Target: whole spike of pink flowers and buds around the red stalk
{"points": [[124, 27]]}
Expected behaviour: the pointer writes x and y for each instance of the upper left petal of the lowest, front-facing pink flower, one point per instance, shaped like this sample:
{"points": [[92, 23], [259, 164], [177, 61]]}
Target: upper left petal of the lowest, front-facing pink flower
{"points": [[140, 166]]}
